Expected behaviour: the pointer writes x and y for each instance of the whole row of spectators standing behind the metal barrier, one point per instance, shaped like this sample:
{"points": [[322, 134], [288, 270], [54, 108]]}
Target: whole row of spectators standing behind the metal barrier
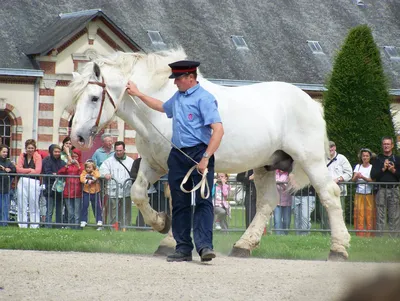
{"points": [[68, 185]]}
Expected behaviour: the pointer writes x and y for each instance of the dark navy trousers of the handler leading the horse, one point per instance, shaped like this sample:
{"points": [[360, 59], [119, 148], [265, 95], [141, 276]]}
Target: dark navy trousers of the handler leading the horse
{"points": [[203, 217]]}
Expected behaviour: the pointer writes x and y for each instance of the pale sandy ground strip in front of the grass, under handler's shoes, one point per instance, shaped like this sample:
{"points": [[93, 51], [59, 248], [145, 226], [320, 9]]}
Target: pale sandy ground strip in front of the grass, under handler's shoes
{"points": [[31, 275]]}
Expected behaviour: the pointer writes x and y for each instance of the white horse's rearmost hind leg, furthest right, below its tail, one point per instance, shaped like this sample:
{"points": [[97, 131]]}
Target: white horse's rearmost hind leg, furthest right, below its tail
{"points": [[329, 194]]}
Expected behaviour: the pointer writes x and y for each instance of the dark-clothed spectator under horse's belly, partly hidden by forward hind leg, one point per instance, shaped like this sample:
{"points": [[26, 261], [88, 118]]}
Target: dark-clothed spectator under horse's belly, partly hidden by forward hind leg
{"points": [[250, 198]]}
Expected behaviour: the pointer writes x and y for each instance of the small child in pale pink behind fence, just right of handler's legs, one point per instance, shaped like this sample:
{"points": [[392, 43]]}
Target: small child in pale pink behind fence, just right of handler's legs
{"points": [[222, 208]]}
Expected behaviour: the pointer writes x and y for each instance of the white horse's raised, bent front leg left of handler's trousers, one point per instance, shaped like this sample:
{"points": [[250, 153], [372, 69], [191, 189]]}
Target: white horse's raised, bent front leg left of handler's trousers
{"points": [[159, 221]]}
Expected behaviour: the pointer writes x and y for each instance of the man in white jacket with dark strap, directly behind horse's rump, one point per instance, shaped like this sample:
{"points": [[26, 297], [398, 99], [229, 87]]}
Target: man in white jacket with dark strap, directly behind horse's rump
{"points": [[340, 170]]}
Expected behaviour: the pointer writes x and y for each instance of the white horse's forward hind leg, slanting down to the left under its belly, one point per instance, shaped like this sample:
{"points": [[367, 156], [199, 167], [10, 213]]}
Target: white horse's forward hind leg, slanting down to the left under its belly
{"points": [[267, 199]]}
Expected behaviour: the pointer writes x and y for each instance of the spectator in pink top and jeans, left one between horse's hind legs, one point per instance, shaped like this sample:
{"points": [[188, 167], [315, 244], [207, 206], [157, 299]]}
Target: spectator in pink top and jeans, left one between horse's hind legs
{"points": [[282, 212]]}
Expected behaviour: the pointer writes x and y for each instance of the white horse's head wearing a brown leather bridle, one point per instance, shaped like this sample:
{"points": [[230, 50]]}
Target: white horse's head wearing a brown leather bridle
{"points": [[96, 92]]}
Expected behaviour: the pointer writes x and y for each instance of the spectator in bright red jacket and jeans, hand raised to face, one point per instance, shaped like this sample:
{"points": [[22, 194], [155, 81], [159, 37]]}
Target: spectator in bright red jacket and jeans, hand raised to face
{"points": [[73, 188]]}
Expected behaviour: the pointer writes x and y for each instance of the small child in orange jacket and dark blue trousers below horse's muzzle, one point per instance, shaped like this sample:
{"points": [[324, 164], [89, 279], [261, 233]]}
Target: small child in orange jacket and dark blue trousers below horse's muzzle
{"points": [[91, 192]]}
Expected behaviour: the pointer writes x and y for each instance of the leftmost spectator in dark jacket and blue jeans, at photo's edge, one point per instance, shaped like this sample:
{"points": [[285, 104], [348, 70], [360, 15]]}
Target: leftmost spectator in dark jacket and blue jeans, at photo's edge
{"points": [[6, 166]]}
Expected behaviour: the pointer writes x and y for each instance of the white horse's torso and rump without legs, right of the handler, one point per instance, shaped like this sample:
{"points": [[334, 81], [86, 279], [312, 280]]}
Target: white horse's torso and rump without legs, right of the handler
{"points": [[262, 118]]}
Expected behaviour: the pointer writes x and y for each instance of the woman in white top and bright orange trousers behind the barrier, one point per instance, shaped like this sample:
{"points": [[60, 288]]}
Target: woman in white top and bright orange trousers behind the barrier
{"points": [[364, 203]]}
